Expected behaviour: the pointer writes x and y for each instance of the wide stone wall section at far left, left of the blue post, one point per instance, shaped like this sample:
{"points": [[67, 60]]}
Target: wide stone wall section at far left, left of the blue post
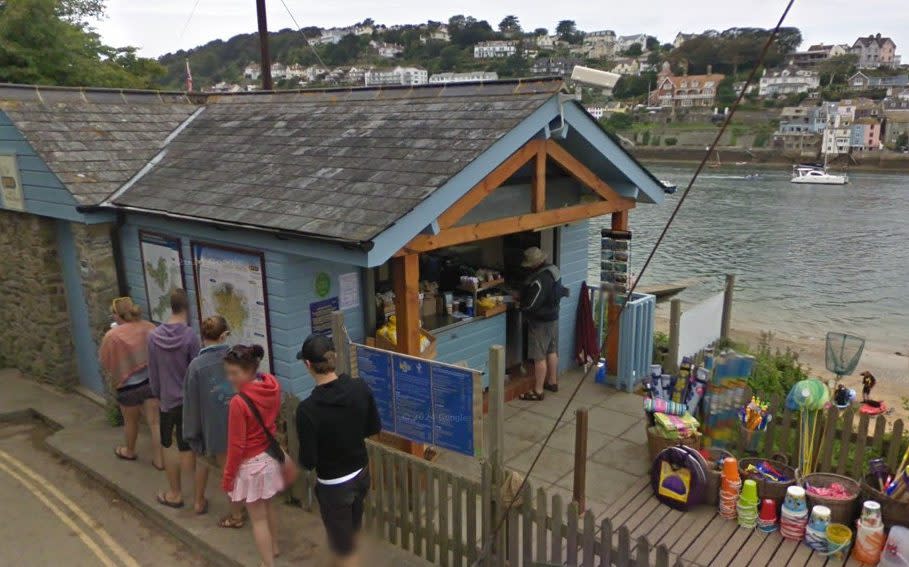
{"points": [[34, 320]]}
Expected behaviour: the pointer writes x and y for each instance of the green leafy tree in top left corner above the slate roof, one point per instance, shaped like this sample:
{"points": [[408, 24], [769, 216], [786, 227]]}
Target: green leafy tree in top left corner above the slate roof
{"points": [[46, 42]]}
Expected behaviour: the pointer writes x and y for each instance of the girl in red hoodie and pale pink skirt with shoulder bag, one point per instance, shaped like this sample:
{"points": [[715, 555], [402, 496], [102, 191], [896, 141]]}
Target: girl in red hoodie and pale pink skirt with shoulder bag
{"points": [[250, 474]]}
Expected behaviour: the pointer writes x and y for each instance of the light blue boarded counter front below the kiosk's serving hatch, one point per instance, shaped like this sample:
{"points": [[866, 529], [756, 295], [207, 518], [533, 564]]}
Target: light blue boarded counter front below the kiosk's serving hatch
{"points": [[470, 343]]}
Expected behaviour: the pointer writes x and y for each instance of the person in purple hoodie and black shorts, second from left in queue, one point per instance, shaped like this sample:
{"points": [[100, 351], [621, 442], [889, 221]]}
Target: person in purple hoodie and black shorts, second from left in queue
{"points": [[171, 347]]}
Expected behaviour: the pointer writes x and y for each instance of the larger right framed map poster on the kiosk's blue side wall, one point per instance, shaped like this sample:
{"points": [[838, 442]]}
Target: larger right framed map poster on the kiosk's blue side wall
{"points": [[231, 282]]}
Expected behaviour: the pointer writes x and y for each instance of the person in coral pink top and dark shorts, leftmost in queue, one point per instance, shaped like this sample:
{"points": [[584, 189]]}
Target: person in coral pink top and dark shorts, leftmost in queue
{"points": [[124, 358]]}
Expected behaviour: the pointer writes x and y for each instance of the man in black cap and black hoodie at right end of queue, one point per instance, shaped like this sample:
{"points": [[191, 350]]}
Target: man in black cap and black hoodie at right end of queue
{"points": [[332, 424]]}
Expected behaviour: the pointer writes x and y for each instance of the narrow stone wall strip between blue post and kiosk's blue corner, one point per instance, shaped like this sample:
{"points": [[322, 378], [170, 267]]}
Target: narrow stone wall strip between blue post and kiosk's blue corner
{"points": [[99, 274]]}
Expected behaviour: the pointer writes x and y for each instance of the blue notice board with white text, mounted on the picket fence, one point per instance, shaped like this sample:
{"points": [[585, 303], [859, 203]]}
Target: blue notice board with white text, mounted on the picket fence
{"points": [[425, 401]]}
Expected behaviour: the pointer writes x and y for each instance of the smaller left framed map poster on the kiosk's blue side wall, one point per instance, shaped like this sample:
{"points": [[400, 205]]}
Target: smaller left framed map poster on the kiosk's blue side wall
{"points": [[162, 267]]}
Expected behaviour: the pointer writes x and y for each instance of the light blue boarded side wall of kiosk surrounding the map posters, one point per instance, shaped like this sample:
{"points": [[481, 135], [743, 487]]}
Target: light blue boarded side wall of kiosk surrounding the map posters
{"points": [[289, 278]]}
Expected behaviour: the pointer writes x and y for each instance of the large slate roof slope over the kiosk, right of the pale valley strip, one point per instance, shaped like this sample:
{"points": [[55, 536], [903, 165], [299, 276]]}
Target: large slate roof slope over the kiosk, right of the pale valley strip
{"points": [[338, 164]]}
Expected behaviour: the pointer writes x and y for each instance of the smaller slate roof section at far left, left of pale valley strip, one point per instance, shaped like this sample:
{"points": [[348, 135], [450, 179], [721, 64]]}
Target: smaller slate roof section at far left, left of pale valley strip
{"points": [[94, 140]]}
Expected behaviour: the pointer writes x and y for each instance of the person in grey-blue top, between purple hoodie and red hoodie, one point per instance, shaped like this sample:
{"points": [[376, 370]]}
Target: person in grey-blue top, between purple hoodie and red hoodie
{"points": [[206, 399]]}
